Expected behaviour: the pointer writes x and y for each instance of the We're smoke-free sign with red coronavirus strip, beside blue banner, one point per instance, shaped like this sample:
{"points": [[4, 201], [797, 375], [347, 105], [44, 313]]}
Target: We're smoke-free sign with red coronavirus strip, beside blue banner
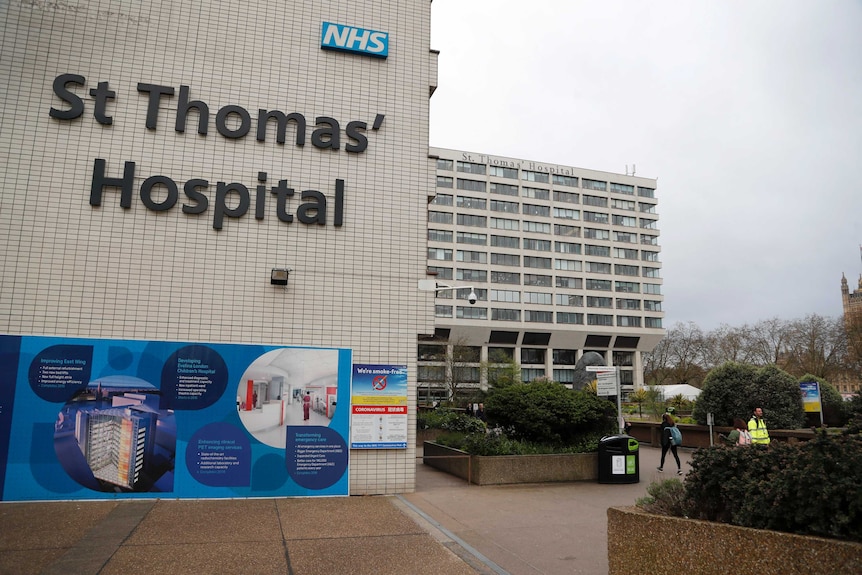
{"points": [[379, 407]]}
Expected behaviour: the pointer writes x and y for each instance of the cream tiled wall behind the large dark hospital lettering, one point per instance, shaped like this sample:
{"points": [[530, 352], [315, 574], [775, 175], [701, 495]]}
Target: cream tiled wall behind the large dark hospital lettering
{"points": [[71, 269]]}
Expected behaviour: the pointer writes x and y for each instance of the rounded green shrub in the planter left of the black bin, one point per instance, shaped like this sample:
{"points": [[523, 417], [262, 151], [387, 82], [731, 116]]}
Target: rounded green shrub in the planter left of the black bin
{"points": [[549, 413]]}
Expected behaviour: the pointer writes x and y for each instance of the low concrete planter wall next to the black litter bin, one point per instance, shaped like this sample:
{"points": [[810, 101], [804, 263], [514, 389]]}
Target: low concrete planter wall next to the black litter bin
{"points": [[502, 469]]}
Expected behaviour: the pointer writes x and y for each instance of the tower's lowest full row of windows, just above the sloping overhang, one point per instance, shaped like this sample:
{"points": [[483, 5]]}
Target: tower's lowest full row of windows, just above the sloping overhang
{"points": [[537, 316]]}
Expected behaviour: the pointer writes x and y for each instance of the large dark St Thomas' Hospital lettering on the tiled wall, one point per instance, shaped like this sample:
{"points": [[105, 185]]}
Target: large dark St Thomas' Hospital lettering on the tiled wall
{"points": [[231, 121]]}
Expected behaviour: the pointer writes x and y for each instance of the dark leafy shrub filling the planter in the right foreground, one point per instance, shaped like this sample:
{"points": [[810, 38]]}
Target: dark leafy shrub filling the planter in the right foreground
{"points": [[812, 488]]}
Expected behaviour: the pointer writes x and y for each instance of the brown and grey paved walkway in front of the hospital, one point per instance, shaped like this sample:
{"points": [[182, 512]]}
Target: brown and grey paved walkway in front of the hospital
{"points": [[446, 526]]}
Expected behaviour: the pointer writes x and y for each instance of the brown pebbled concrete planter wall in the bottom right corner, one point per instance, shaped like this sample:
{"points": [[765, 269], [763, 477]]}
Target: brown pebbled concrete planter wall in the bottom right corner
{"points": [[640, 542]]}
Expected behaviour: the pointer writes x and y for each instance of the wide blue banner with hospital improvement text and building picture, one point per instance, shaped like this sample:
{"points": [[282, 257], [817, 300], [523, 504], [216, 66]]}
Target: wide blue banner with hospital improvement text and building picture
{"points": [[98, 419]]}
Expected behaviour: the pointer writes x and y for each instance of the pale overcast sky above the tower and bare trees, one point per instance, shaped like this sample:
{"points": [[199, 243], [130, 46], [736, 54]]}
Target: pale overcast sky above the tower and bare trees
{"points": [[749, 114]]}
